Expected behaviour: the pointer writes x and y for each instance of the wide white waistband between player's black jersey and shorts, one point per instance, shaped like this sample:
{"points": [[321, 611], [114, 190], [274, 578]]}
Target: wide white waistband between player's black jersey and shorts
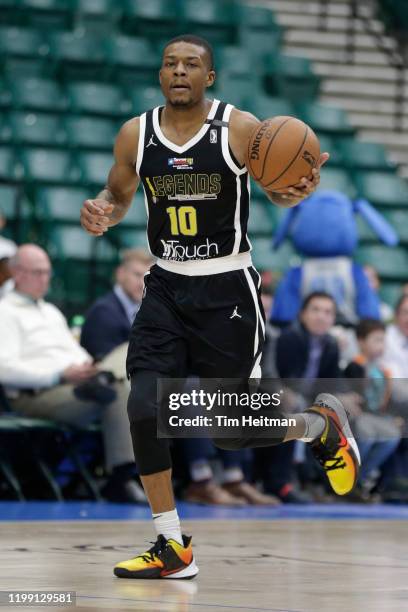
{"points": [[206, 267]]}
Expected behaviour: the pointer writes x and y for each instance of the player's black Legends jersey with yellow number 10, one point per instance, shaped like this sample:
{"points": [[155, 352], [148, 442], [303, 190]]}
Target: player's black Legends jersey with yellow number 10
{"points": [[197, 196]]}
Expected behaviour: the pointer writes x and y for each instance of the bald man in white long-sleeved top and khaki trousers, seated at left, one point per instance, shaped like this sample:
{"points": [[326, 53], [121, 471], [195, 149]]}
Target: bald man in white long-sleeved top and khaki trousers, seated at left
{"points": [[45, 371]]}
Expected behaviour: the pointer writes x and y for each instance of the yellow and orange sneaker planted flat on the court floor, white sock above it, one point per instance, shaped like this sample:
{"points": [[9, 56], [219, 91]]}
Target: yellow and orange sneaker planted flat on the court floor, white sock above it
{"points": [[166, 559]]}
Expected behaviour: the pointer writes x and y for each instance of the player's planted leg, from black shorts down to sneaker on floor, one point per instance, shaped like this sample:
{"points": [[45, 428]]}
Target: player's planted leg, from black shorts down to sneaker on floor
{"points": [[157, 349]]}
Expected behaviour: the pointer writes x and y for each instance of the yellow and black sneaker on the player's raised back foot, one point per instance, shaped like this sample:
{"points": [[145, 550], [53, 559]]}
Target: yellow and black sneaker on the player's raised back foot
{"points": [[336, 449]]}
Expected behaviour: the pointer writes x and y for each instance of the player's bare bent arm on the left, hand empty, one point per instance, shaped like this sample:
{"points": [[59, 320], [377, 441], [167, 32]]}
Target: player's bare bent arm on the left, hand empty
{"points": [[112, 203]]}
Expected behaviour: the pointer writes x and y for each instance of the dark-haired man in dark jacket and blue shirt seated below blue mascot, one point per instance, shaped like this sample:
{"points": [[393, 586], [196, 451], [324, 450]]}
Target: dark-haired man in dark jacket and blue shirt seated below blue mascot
{"points": [[304, 350]]}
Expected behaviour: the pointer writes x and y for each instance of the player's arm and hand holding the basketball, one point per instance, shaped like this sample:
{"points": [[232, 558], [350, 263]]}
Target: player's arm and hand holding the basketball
{"points": [[242, 124]]}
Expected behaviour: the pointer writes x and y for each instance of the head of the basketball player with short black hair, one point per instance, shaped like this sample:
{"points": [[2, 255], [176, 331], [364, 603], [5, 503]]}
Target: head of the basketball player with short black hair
{"points": [[185, 74]]}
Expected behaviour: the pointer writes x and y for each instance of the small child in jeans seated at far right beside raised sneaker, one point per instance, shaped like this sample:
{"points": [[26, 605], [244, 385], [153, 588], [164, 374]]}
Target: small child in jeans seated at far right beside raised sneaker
{"points": [[377, 432]]}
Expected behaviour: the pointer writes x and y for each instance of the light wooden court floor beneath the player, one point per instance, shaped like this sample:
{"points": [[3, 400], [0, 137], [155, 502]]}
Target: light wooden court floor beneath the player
{"points": [[279, 565]]}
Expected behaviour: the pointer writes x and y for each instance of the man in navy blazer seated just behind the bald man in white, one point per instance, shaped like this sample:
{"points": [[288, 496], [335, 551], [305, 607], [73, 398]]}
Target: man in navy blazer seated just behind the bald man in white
{"points": [[108, 322]]}
